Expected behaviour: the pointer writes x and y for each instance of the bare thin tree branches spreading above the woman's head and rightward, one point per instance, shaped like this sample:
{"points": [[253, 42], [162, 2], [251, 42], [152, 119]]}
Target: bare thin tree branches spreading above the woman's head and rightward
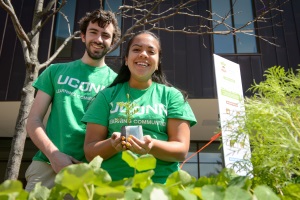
{"points": [[145, 13]]}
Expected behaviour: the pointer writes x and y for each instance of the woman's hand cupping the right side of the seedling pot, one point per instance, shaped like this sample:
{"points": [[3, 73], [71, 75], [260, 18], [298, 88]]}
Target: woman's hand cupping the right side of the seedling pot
{"points": [[139, 146]]}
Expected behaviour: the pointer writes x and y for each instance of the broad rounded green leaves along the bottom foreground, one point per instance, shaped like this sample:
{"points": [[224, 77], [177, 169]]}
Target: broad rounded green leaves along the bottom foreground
{"points": [[89, 181]]}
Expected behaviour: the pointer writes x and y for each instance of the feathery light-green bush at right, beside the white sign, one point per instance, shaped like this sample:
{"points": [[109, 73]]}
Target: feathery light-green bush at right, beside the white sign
{"points": [[272, 121]]}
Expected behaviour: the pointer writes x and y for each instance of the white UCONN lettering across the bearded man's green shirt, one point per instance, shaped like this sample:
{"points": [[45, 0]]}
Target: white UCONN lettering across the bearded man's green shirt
{"points": [[76, 83]]}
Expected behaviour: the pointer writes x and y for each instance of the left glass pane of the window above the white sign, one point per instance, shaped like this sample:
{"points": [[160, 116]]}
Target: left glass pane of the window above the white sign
{"points": [[222, 43]]}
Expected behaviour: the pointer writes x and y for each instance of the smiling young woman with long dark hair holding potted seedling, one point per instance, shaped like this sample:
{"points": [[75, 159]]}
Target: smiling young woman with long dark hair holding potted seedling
{"points": [[162, 111]]}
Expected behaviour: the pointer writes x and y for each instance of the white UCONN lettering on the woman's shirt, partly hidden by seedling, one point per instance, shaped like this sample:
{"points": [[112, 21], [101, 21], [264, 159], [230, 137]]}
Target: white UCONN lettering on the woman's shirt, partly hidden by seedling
{"points": [[158, 109]]}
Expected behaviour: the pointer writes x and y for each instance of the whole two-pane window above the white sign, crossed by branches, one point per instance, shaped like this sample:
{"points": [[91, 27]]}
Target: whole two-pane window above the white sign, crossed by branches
{"points": [[237, 14]]}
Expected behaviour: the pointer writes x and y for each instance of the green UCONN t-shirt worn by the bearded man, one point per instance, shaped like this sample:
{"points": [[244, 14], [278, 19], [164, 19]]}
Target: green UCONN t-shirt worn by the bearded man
{"points": [[72, 86]]}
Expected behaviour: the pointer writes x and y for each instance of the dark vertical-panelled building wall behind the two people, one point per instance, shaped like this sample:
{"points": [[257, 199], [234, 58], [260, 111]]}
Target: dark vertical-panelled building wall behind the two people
{"points": [[187, 59]]}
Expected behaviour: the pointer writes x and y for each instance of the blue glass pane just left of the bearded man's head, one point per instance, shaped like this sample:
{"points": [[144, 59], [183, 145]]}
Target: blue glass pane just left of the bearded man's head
{"points": [[63, 28]]}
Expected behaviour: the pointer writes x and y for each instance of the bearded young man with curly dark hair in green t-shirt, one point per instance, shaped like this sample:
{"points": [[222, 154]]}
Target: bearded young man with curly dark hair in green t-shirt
{"points": [[68, 88]]}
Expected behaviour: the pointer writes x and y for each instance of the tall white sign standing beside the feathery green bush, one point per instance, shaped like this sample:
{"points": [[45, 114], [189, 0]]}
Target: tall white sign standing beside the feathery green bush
{"points": [[230, 100]]}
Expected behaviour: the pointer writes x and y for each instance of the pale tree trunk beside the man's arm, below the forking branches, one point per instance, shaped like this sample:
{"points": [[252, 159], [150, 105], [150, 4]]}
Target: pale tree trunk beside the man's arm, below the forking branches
{"points": [[18, 142]]}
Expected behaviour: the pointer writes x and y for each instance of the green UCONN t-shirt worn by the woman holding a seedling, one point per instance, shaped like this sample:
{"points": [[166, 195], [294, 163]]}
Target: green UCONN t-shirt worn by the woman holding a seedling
{"points": [[155, 105]]}
